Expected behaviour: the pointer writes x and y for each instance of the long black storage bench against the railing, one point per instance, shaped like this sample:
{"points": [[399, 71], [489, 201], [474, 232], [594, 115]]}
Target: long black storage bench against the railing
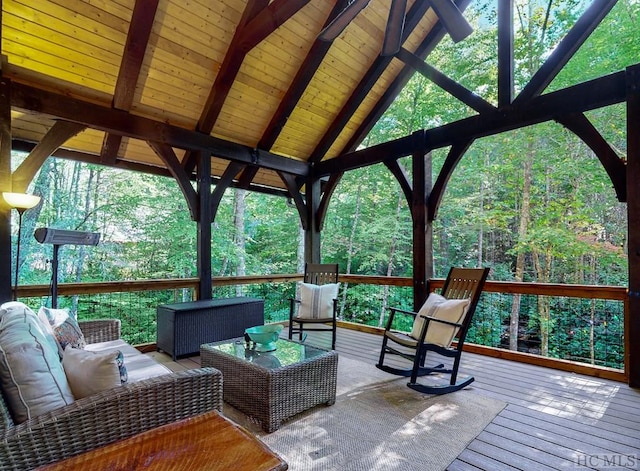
{"points": [[183, 327]]}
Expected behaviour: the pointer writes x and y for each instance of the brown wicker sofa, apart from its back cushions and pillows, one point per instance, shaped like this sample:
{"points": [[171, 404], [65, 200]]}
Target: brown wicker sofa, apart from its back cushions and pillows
{"points": [[111, 415]]}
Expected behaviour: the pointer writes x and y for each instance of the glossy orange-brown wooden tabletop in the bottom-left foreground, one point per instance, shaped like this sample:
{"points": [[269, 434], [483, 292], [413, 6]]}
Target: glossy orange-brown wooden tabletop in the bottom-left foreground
{"points": [[206, 442]]}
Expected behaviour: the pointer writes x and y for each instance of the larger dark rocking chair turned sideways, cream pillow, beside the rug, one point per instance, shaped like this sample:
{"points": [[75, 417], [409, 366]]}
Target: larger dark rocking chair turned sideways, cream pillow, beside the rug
{"points": [[440, 319]]}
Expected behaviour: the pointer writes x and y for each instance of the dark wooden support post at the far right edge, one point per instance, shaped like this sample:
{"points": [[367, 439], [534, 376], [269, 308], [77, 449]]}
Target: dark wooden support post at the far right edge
{"points": [[632, 334]]}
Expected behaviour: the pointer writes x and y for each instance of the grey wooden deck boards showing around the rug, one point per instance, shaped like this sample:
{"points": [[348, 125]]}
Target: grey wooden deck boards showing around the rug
{"points": [[553, 420]]}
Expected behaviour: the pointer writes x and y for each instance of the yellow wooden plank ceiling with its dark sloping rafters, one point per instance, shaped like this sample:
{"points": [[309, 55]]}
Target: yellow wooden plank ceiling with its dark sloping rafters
{"points": [[247, 72]]}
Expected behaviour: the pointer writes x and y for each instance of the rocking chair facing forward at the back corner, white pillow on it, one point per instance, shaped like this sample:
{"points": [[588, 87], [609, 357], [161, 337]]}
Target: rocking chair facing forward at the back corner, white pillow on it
{"points": [[318, 301]]}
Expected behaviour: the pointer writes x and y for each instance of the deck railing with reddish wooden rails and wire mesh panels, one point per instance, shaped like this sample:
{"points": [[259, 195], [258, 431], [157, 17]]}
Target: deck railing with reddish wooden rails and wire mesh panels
{"points": [[571, 327]]}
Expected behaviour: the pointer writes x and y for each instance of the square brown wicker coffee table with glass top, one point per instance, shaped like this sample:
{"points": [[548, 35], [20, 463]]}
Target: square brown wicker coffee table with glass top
{"points": [[273, 386]]}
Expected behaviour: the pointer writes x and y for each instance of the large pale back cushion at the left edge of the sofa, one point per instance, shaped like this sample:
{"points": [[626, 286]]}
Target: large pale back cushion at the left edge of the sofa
{"points": [[31, 374]]}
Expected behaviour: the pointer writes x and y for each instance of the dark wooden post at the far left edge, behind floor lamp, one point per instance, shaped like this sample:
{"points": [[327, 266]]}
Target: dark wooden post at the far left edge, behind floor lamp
{"points": [[5, 185]]}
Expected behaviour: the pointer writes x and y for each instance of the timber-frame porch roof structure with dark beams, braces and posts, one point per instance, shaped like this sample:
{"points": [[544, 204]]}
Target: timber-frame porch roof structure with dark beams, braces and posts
{"points": [[276, 96]]}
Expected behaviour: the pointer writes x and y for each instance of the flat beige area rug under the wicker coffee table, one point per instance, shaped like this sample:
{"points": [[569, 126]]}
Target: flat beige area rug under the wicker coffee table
{"points": [[378, 423]]}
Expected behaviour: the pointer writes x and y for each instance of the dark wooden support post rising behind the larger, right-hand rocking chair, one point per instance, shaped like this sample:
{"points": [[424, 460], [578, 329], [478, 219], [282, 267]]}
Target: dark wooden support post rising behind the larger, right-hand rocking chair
{"points": [[422, 227]]}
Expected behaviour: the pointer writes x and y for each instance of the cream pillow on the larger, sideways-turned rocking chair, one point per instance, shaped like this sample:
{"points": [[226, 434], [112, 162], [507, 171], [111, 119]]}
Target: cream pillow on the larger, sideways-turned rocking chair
{"points": [[437, 306]]}
